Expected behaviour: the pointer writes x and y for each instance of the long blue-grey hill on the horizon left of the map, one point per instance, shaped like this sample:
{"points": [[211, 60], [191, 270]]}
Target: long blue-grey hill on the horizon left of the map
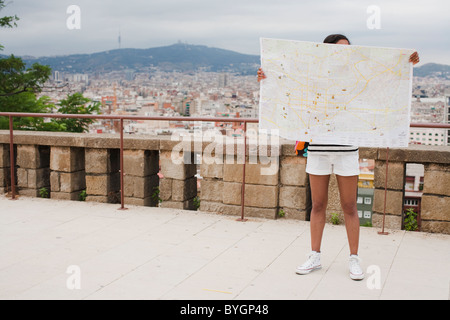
{"points": [[177, 57]]}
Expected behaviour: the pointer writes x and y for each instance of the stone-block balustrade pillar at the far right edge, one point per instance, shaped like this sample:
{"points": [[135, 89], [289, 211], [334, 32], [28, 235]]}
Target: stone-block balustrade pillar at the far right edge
{"points": [[435, 212]]}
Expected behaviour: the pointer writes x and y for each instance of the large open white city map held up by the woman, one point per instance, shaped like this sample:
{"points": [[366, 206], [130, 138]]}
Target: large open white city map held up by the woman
{"points": [[336, 94]]}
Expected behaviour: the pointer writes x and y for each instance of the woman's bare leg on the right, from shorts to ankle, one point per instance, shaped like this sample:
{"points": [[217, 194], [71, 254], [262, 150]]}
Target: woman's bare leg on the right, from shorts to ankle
{"points": [[348, 190]]}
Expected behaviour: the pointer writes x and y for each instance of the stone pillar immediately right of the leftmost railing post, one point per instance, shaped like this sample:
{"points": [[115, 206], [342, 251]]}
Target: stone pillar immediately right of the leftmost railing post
{"points": [[33, 170]]}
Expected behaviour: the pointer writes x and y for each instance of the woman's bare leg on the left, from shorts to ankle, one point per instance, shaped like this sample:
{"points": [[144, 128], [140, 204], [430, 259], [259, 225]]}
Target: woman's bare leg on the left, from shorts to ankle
{"points": [[319, 197]]}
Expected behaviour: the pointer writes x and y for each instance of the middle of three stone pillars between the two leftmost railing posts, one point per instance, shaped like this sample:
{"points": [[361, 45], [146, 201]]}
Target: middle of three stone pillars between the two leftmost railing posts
{"points": [[67, 176]]}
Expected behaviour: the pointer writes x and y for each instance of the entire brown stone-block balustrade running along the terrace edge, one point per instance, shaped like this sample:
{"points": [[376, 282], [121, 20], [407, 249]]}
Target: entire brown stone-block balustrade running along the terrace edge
{"points": [[157, 171]]}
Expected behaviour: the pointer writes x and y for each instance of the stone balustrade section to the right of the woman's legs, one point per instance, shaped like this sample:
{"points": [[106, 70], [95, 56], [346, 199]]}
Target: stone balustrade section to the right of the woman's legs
{"points": [[435, 206]]}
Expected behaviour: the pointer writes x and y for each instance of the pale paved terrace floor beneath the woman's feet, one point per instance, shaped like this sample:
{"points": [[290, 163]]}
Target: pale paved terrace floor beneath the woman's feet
{"points": [[154, 253]]}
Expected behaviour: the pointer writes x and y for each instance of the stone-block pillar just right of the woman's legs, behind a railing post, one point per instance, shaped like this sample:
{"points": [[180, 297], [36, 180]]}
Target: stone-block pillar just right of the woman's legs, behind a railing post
{"points": [[394, 195]]}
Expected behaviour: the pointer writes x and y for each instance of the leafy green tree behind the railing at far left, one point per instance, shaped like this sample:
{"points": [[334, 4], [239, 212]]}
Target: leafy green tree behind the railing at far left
{"points": [[19, 86]]}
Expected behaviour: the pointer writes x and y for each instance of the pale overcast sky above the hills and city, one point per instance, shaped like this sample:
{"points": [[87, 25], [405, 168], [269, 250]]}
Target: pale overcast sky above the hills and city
{"points": [[228, 24]]}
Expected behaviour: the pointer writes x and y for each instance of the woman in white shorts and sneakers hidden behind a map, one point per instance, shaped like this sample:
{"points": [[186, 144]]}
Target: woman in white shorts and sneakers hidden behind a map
{"points": [[343, 161]]}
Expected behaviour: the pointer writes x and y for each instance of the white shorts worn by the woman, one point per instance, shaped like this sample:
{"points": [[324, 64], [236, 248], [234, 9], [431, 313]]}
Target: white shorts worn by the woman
{"points": [[339, 164]]}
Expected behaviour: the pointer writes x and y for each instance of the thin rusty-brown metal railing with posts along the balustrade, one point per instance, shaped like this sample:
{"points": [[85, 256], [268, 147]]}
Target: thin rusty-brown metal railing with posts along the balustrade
{"points": [[121, 118]]}
